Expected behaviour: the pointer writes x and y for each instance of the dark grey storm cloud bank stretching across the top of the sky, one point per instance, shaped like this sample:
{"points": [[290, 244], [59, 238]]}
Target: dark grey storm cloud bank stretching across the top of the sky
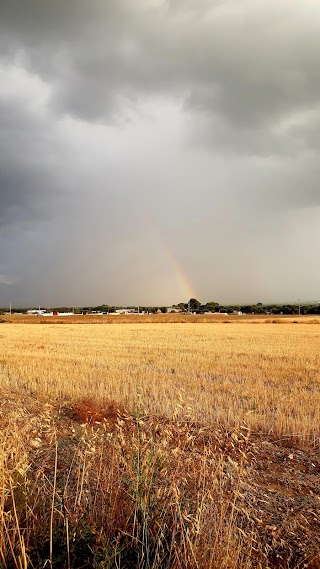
{"points": [[249, 65]]}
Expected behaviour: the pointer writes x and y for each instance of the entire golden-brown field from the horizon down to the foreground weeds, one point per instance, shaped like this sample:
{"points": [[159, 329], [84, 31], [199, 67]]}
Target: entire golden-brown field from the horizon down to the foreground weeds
{"points": [[164, 441]]}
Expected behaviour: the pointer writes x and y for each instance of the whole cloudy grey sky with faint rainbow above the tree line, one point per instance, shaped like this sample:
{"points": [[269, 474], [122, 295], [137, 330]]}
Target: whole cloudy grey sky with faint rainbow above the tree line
{"points": [[157, 150]]}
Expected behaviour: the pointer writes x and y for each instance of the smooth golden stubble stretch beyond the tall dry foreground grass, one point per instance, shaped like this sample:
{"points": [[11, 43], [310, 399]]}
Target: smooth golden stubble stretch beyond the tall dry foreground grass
{"points": [[264, 376]]}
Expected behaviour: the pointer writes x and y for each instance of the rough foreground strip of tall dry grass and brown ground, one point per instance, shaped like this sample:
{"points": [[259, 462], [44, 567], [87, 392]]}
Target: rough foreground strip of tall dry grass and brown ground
{"points": [[92, 485]]}
